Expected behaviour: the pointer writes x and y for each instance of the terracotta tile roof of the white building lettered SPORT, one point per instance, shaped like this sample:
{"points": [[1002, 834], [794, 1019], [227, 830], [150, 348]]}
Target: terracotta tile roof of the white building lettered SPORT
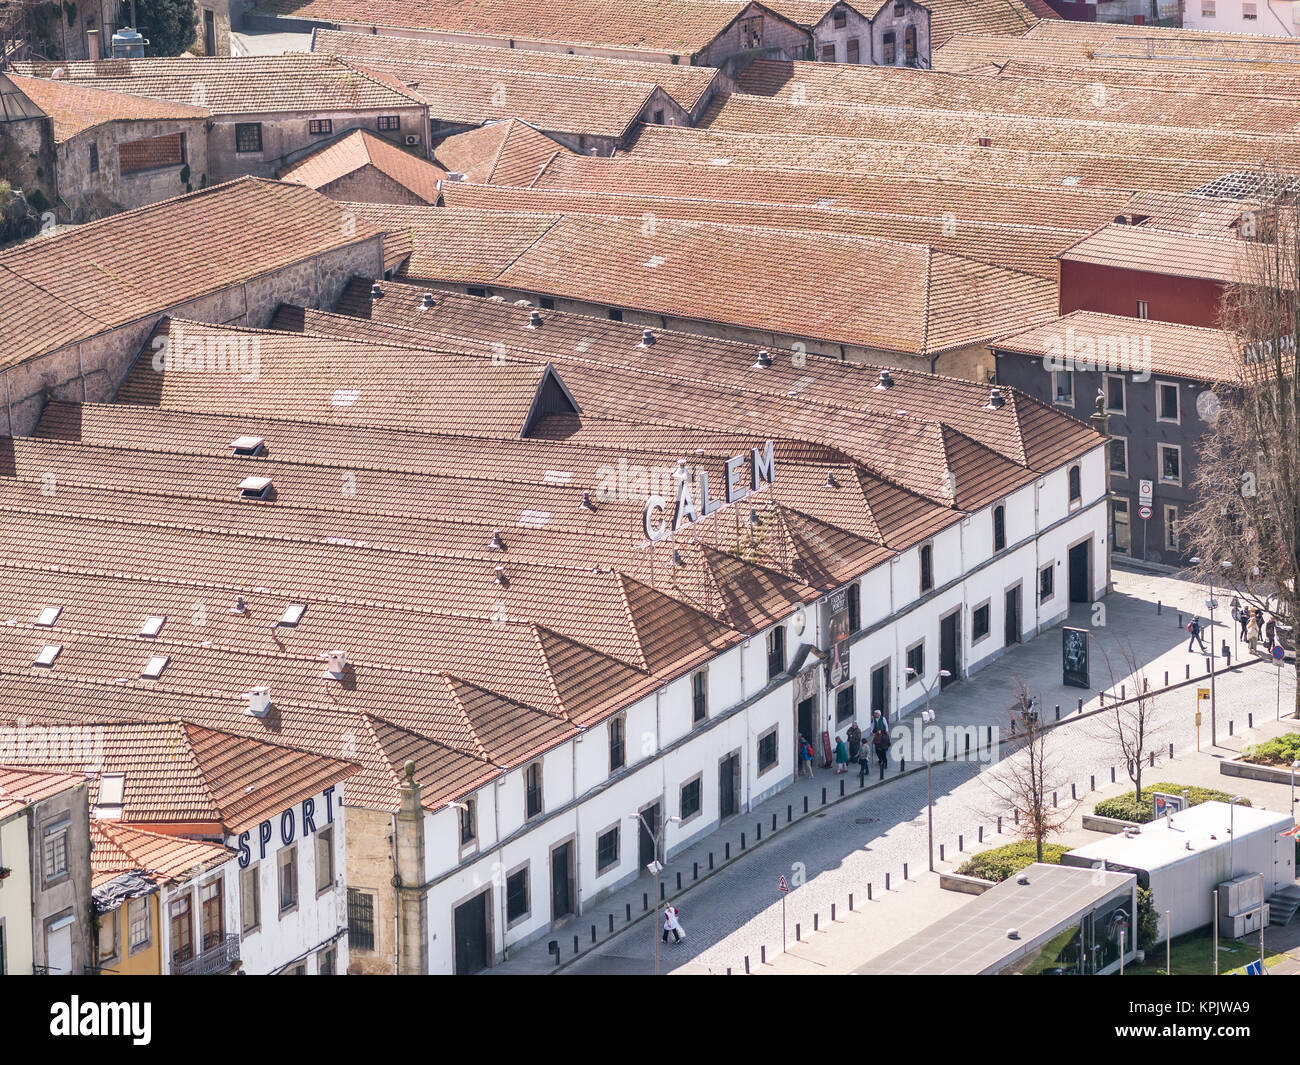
{"points": [[179, 773]]}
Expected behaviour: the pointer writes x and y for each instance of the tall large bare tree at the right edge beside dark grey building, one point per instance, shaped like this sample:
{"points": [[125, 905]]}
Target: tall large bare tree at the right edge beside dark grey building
{"points": [[1246, 523]]}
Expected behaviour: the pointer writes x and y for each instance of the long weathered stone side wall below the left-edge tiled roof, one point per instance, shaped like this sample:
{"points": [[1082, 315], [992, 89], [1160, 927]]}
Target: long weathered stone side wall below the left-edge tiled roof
{"points": [[93, 371]]}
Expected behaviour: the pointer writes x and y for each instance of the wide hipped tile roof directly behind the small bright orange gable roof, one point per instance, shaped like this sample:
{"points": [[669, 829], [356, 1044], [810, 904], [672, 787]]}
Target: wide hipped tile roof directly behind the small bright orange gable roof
{"points": [[250, 85]]}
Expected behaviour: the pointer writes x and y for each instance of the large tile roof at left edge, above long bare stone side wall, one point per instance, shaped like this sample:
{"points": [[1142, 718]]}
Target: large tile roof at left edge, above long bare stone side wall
{"points": [[83, 282]]}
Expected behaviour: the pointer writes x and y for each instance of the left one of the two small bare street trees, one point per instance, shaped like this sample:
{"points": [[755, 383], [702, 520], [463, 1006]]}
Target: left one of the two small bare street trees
{"points": [[1026, 783]]}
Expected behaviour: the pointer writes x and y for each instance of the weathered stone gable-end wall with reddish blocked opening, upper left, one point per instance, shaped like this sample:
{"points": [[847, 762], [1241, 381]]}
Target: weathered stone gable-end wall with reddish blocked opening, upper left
{"points": [[86, 196]]}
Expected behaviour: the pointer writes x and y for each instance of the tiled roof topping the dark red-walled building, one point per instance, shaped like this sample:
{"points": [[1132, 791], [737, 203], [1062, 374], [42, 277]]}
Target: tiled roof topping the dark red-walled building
{"points": [[1163, 252]]}
